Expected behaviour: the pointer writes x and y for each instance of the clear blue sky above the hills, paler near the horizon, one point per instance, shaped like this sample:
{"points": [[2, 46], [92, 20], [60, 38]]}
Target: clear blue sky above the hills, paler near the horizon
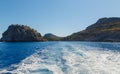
{"points": [[60, 17]]}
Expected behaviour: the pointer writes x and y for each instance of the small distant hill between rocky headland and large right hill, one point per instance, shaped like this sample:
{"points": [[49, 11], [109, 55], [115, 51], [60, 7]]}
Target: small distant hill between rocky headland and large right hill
{"points": [[51, 37]]}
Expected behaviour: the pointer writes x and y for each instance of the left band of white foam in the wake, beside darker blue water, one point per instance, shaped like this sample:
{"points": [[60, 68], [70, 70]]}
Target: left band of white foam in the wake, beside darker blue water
{"points": [[34, 64]]}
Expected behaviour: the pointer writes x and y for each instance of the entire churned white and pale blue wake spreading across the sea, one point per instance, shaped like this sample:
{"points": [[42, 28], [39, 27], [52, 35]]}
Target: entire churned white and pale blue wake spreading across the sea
{"points": [[69, 58]]}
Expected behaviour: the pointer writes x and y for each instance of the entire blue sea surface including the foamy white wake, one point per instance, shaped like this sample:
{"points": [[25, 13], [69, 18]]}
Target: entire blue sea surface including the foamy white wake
{"points": [[59, 58]]}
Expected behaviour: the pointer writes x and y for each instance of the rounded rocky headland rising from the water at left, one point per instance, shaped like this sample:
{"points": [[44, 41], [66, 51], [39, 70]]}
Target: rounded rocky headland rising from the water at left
{"points": [[21, 33]]}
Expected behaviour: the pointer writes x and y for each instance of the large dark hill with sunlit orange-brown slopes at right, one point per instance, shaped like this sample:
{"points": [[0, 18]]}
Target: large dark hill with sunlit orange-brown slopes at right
{"points": [[104, 30]]}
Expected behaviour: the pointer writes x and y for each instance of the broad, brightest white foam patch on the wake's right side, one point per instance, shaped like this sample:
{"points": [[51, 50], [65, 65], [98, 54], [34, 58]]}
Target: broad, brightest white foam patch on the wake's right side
{"points": [[92, 61]]}
